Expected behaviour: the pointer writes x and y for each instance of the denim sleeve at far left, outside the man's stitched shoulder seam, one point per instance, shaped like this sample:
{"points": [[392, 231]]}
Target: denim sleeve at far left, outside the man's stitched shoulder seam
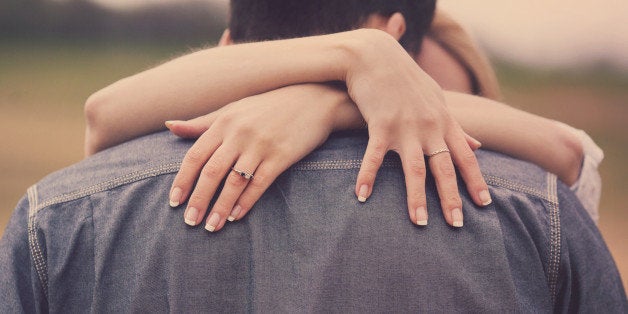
{"points": [[17, 288]]}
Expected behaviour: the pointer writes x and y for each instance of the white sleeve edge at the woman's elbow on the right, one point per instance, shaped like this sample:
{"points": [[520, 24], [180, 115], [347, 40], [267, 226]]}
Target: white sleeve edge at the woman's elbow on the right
{"points": [[588, 187]]}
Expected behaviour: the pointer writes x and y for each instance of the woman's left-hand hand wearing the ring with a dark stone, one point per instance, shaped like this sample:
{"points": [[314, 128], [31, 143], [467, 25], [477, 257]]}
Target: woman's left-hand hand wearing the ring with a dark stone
{"points": [[260, 135]]}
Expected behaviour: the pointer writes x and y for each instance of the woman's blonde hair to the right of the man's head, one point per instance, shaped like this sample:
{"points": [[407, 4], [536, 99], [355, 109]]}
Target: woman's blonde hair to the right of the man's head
{"points": [[457, 42]]}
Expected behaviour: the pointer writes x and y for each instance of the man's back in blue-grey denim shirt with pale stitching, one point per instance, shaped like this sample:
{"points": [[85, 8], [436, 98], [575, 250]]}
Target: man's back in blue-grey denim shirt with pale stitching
{"points": [[101, 236]]}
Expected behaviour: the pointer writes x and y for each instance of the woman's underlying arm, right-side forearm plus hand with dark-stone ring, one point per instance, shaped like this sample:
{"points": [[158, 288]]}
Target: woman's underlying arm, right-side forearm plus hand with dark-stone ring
{"points": [[302, 116]]}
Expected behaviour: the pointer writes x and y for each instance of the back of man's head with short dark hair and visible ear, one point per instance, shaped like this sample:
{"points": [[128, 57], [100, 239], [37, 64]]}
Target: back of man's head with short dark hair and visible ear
{"points": [[257, 20]]}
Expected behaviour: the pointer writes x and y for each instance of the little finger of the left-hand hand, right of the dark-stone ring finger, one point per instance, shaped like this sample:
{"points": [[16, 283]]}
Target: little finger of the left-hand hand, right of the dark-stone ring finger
{"points": [[265, 175]]}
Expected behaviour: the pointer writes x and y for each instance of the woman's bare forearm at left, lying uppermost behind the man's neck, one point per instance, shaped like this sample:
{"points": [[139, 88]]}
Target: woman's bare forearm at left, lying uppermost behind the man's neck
{"points": [[206, 80]]}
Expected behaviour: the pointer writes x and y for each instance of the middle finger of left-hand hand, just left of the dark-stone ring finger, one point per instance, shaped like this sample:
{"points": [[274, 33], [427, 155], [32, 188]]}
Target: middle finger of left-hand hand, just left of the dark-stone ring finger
{"points": [[208, 181]]}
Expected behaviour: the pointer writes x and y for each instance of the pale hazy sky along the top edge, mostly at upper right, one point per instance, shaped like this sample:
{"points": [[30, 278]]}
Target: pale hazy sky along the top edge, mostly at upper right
{"points": [[541, 32]]}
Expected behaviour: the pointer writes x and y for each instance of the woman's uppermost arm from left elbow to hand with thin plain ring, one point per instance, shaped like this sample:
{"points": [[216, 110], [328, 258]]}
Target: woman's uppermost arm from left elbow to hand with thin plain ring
{"points": [[403, 106]]}
